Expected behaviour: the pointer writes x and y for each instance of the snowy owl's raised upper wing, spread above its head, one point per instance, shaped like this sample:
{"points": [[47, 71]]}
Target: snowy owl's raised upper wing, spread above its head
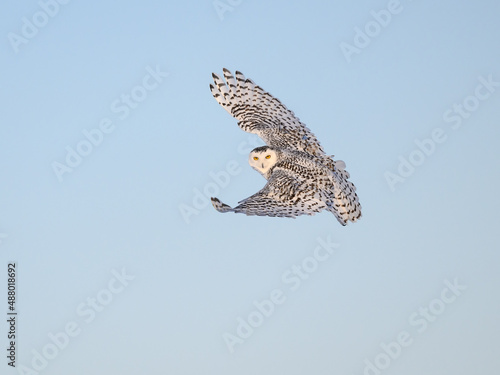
{"points": [[260, 113]]}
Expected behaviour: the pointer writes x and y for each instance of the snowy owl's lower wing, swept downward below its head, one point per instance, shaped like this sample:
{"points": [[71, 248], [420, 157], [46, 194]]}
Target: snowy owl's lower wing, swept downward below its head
{"points": [[284, 195]]}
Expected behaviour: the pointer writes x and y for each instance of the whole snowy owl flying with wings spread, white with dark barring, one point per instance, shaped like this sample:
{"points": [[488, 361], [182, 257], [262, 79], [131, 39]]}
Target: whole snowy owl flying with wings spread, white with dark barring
{"points": [[301, 178]]}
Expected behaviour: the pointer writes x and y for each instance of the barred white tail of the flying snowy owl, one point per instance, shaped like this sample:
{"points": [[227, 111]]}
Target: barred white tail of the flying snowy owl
{"points": [[344, 202]]}
